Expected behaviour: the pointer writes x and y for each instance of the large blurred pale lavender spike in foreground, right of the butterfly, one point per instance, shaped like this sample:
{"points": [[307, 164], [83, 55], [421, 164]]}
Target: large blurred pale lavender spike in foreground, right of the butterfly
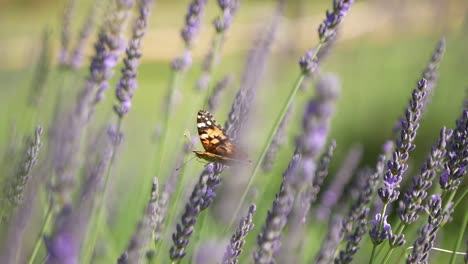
{"points": [[310, 144]]}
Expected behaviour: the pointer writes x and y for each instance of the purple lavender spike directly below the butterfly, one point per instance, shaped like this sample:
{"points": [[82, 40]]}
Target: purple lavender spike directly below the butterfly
{"points": [[185, 228]]}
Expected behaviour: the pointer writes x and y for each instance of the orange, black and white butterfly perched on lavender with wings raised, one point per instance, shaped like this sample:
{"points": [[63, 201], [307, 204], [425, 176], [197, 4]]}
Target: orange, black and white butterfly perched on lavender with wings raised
{"points": [[217, 144]]}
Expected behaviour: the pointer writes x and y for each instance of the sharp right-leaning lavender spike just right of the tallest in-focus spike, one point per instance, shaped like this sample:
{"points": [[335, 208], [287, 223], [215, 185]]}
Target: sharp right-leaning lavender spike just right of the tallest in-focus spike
{"points": [[410, 206]]}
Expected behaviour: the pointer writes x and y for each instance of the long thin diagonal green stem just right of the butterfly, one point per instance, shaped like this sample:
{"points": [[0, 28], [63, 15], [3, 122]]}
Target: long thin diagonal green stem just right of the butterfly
{"points": [[270, 137]]}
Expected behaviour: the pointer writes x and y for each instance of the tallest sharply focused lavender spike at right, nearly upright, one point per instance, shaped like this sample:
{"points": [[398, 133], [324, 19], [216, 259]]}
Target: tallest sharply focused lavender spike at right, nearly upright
{"points": [[397, 166]]}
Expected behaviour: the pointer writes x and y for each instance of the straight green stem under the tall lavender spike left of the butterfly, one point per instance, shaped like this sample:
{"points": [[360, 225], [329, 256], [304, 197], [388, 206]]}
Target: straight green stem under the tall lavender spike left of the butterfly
{"points": [[98, 211]]}
